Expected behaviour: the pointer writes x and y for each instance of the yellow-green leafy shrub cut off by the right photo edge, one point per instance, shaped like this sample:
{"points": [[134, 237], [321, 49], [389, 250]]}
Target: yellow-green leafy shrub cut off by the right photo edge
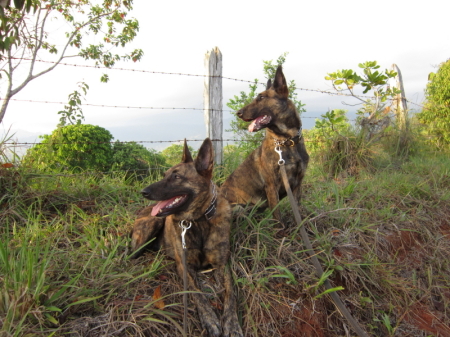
{"points": [[436, 114]]}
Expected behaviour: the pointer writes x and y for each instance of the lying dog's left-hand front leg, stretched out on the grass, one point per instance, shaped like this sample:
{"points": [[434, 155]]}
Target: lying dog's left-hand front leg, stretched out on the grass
{"points": [[208, 317]]}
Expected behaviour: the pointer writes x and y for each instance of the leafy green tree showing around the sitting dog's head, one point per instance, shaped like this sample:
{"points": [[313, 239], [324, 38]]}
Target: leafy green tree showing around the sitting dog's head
{"points": [[250, 141]]}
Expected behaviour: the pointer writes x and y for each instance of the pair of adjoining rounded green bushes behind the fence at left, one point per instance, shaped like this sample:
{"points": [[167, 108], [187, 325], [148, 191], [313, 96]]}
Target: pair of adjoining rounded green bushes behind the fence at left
{"points": [[85, 147]]}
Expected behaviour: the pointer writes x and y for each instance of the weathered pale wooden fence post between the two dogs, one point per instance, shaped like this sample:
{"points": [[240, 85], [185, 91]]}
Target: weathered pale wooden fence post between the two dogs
{"points": [[213, 102]]}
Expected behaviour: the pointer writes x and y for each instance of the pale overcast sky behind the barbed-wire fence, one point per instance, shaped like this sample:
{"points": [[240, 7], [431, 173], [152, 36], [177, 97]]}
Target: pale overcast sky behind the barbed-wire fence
{"points": [[320, 37]]}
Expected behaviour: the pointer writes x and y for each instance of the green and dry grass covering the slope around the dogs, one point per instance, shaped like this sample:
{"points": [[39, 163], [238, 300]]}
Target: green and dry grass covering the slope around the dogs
{"points": [[382, 236]]}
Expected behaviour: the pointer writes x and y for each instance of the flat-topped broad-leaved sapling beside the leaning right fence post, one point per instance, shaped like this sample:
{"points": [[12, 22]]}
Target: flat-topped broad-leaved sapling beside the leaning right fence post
{"points": [[371, 80]]}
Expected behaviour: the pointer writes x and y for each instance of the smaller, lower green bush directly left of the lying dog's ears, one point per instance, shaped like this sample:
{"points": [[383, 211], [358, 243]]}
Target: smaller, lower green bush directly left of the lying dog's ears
{"points": [[136, 158]]}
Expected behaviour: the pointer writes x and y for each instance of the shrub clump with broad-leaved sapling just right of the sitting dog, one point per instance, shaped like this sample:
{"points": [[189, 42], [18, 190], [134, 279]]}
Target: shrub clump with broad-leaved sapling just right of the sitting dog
{"points": [[347, 147]]}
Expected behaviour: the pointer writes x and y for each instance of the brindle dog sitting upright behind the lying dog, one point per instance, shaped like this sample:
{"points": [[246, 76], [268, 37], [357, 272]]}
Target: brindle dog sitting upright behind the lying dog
{"points": [[258, 178]]}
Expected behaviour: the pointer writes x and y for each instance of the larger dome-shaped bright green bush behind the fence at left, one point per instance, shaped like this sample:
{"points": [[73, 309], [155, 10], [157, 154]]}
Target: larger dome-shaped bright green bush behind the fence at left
{"points": [[76, 147]]}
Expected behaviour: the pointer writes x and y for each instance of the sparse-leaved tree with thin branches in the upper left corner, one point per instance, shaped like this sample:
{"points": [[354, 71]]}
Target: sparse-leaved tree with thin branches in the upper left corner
{"points": [[24, 37]]}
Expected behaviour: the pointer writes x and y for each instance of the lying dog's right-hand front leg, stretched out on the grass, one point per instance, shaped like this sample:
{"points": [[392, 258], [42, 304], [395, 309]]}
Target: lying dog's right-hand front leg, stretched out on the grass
{"points": [[230, 321]]}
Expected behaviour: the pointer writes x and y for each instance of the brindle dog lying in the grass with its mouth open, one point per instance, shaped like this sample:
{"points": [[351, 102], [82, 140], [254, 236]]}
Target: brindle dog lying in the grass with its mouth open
{"points": [[189, 197]]}
